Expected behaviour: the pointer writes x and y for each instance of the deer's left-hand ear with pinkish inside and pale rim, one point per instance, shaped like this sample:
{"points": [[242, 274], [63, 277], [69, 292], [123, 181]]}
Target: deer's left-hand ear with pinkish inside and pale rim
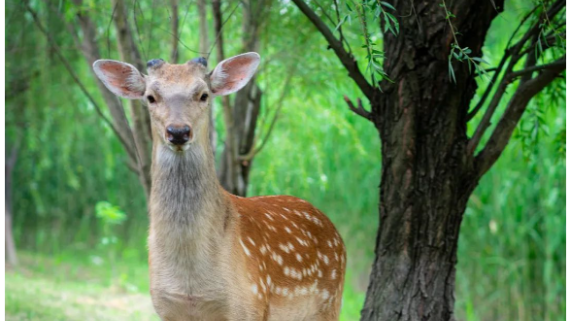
{"points": [[121, 78]]}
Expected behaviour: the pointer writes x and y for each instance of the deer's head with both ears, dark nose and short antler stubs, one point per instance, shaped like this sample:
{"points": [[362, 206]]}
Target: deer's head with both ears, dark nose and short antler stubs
{"points": [[178, 96]]}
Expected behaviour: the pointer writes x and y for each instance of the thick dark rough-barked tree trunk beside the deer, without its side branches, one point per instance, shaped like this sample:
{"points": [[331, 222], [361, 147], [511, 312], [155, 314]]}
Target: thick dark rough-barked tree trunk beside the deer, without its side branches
{"points": [[427, 176]]}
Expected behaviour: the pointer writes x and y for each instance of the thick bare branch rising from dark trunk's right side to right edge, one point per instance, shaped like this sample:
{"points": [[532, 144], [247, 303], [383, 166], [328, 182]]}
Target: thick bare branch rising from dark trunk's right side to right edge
{"points": [[515, 109]]}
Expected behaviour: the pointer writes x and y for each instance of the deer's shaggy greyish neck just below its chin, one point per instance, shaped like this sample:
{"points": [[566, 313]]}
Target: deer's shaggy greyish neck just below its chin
{"points": [[185, 190]]}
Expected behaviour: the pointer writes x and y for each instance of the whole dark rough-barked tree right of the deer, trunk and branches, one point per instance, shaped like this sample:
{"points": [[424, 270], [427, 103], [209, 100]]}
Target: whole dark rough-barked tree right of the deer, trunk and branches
{"points": [[429, 165]]}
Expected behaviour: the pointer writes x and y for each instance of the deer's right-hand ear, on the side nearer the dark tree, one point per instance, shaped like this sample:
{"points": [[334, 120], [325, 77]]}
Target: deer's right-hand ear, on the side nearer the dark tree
{"points": [[233, 73]]}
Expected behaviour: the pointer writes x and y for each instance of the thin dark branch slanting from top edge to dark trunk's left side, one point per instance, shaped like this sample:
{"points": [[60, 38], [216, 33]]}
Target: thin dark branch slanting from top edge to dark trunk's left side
{"points": [[336, 45]]}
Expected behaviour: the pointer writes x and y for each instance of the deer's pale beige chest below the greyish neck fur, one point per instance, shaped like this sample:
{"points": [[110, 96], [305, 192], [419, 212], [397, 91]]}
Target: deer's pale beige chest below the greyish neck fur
{"points": [[186, 279]]}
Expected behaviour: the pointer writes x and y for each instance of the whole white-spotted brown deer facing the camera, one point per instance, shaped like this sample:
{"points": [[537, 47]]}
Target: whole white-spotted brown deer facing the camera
{"points": [[213, 255]]}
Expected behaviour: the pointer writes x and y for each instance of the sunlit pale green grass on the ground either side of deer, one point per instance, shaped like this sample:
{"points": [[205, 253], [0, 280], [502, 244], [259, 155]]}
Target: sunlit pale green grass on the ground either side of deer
{"points": [[72, 287]]}
